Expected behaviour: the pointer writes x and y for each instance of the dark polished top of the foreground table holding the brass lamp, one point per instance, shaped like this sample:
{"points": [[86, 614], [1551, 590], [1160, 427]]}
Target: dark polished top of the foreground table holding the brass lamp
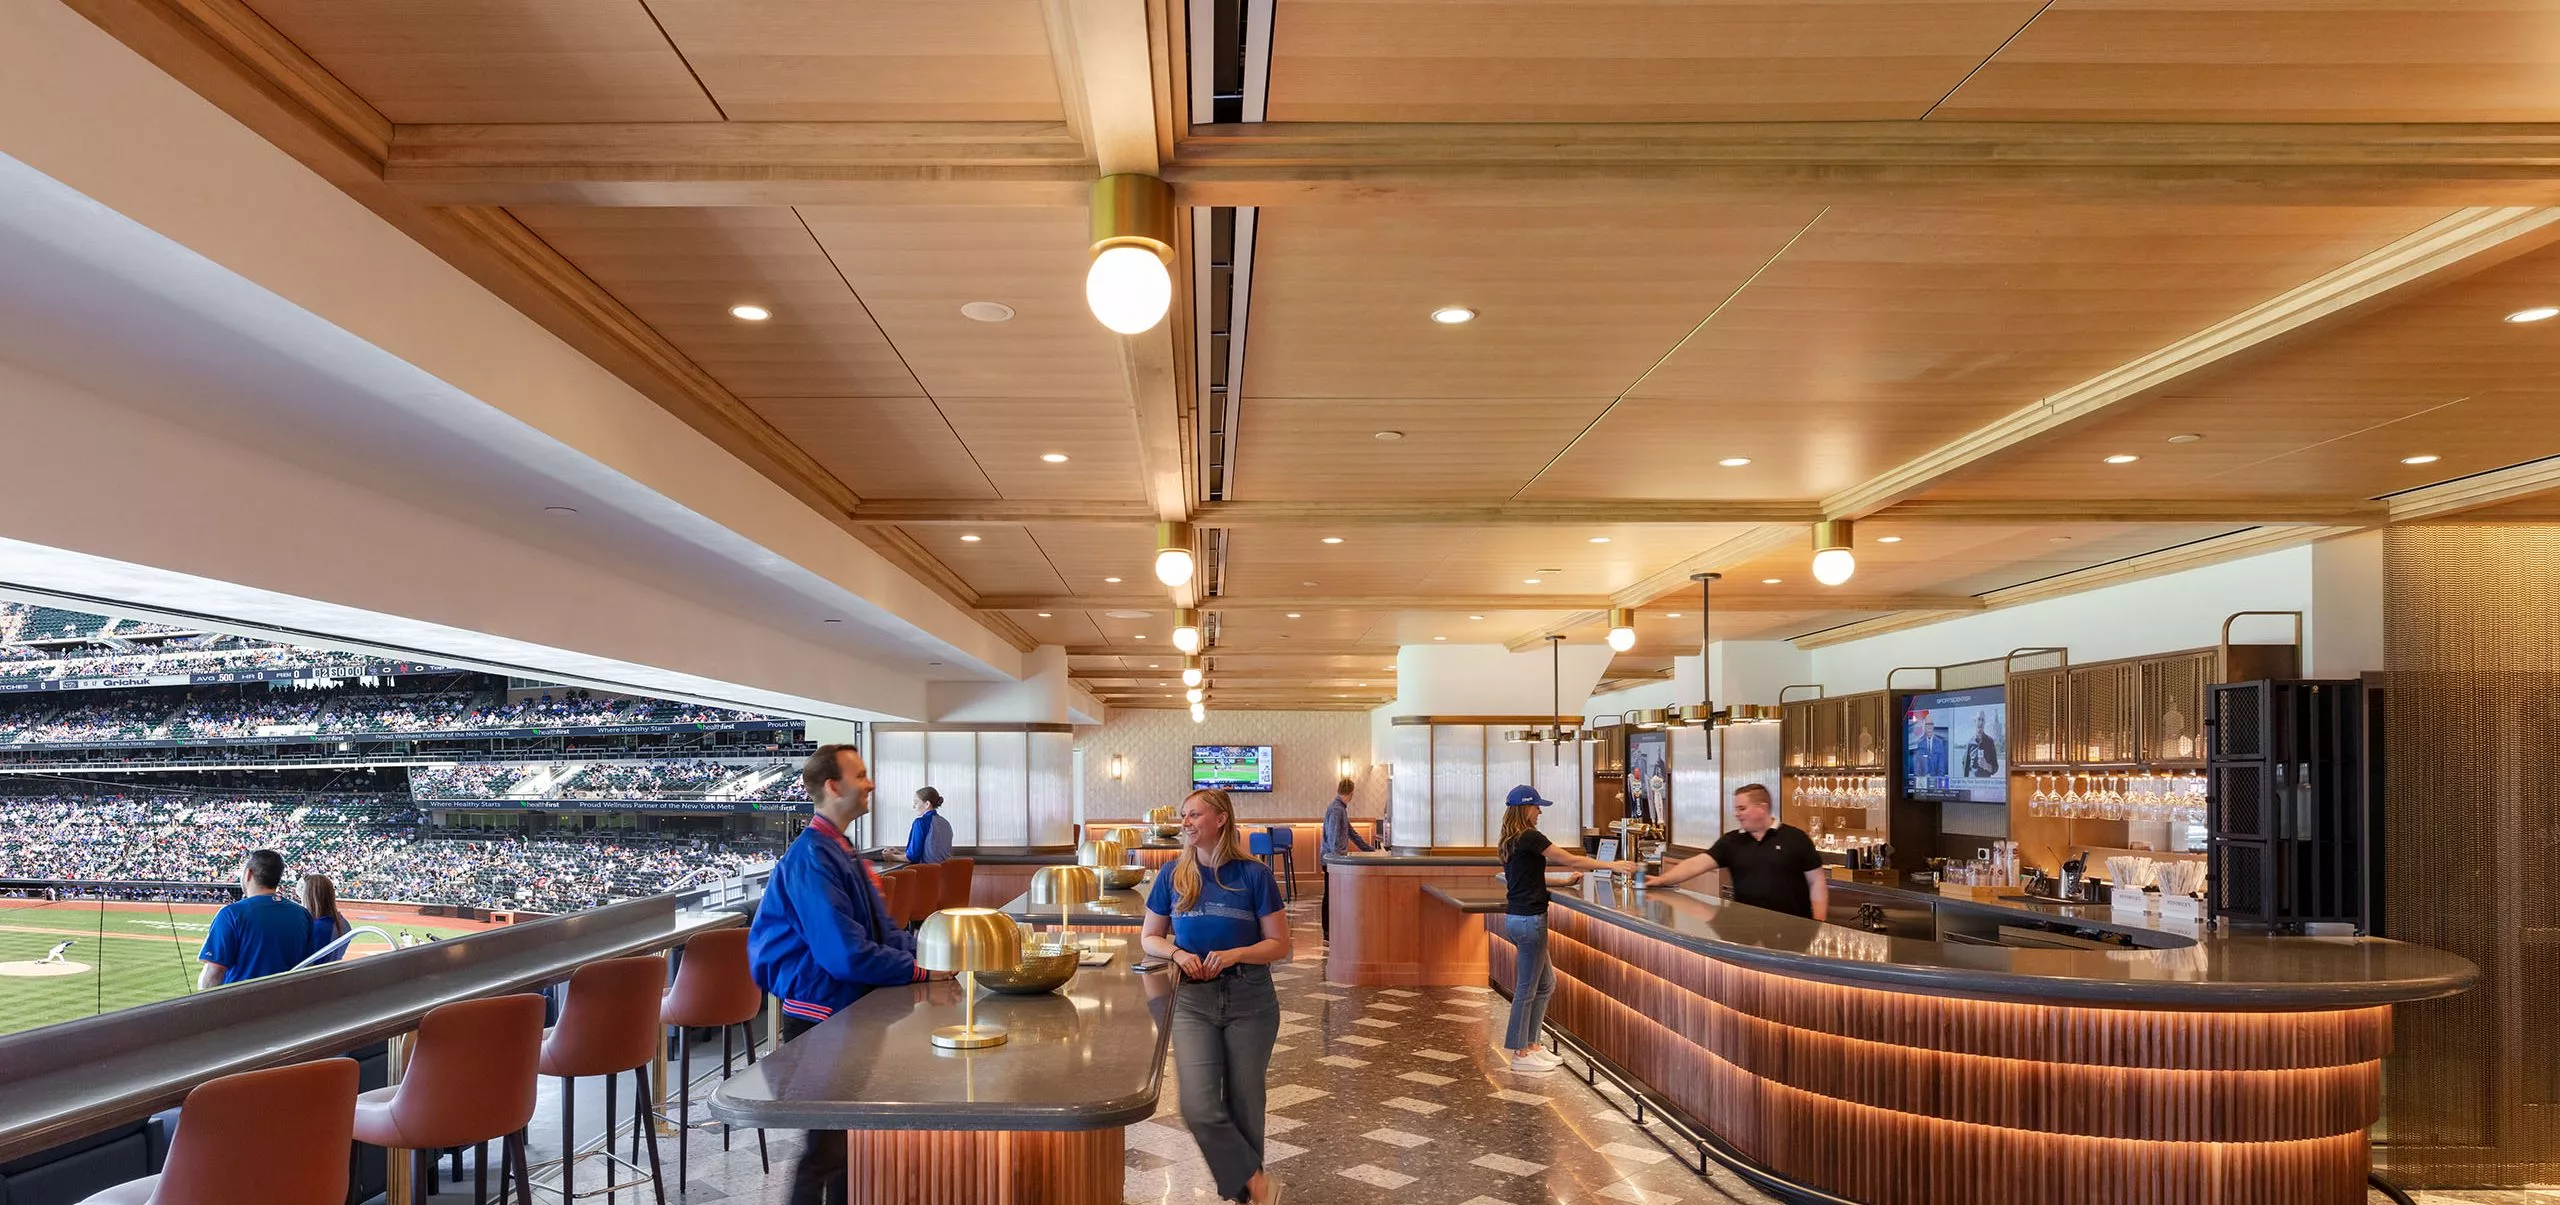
{"points": [[1084, 1058]]}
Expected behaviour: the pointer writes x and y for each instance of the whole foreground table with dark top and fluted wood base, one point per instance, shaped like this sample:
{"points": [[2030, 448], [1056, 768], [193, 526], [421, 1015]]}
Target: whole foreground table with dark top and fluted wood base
{"points": [[1036, 1119]]}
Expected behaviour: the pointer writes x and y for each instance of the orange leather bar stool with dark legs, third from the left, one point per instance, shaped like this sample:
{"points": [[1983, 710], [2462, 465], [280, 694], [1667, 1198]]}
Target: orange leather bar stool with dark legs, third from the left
{"points": [[608, 1027]]}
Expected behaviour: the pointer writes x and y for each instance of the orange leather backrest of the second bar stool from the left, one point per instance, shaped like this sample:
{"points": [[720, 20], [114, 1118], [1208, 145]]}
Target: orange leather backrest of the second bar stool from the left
{"points": [[472, 1073]]}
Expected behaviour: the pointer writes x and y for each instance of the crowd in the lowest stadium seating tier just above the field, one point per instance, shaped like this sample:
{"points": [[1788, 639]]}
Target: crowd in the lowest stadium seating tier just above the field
{"points": [[370, 846]]}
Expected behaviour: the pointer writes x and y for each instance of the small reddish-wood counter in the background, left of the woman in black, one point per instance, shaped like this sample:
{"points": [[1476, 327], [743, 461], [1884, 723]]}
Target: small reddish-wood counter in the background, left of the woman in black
{"points": [[1386, 938]]}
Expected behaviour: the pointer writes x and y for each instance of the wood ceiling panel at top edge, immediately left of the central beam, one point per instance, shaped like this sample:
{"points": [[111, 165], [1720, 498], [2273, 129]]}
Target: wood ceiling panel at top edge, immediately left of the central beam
{"points": [[869, 60]]}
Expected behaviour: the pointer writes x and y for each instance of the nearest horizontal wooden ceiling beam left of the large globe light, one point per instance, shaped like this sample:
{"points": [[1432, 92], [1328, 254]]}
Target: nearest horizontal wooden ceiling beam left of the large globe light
{"points": [[741, 162]]}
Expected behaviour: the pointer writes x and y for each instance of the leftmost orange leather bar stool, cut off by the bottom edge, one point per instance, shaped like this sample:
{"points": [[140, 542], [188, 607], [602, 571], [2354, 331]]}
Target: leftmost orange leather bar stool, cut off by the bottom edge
{"points": [[257, 1140]]}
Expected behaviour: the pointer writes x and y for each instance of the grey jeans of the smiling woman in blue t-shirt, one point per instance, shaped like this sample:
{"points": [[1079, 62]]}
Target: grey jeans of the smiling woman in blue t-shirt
{"points": [[1222, 1053]]}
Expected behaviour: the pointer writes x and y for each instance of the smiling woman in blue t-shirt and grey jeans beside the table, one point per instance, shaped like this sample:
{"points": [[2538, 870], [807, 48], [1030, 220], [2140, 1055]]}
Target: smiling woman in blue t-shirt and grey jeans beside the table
{"points": [[1220, 920]]}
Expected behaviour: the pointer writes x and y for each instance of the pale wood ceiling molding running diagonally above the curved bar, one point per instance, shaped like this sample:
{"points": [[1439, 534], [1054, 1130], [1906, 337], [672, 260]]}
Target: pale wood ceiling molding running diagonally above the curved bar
{"points": [[2446, 249]]}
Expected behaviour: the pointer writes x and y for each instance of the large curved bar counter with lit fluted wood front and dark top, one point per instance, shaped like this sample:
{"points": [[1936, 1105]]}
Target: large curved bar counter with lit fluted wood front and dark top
{"points": [[1896, 1071]]}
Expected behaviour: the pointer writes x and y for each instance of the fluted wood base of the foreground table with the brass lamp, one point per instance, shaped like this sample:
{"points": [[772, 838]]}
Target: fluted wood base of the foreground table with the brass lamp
{"points": [[987, 1168]]}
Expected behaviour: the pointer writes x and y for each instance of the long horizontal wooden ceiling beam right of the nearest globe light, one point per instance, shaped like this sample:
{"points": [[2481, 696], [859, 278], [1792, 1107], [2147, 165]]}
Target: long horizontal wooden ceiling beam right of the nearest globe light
{"points": [[1898, 162]]}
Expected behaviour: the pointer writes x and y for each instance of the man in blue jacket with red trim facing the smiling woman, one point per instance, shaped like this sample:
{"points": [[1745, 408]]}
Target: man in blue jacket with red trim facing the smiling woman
{"points": [[823, 938]]}
